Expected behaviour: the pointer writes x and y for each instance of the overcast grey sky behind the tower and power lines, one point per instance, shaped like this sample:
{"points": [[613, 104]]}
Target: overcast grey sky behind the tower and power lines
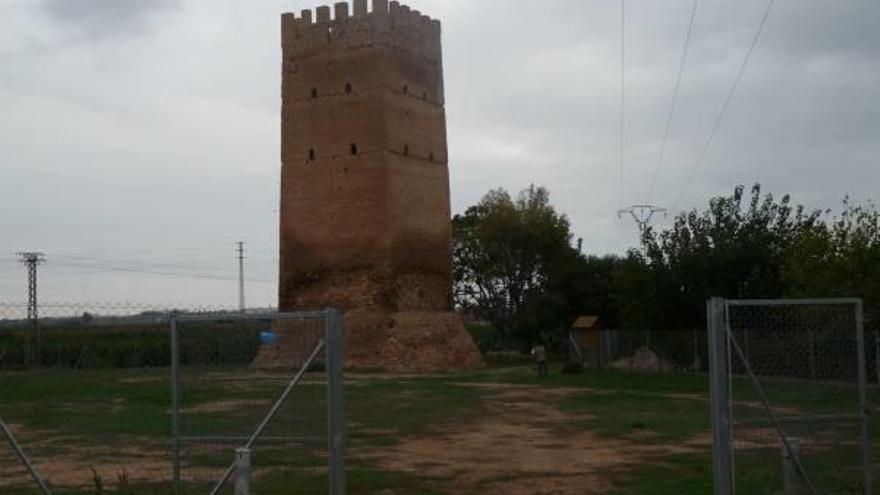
{"points": [[143, 136]]}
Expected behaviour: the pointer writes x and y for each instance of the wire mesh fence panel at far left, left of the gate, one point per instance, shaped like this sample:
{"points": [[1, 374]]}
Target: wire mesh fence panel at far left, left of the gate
{"points": [[83, 389]]}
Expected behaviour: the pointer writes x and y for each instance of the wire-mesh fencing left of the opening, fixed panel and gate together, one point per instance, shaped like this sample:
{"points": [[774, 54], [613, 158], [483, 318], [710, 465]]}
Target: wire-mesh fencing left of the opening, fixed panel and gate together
{"points": [[85, 393]]}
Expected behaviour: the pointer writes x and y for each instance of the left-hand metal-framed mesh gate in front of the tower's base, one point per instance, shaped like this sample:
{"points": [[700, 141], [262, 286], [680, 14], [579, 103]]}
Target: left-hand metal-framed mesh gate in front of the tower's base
{"points": [[257, 397]]}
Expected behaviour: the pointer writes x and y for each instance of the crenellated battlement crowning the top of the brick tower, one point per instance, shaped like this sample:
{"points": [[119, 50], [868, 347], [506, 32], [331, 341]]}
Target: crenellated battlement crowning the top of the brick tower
{"points": [[387, 23]]}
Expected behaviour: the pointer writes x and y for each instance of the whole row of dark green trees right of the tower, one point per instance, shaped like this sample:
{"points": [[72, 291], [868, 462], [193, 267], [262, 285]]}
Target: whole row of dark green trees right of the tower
{"points": [[515, 267]]}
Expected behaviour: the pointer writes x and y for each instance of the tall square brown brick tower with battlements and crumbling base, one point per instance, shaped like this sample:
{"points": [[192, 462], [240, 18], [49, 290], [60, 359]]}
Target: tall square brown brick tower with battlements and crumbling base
{"points": [[365, 215]]}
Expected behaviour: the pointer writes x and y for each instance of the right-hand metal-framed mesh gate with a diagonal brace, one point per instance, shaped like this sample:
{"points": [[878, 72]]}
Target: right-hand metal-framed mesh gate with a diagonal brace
{"points": [[789, 397]]}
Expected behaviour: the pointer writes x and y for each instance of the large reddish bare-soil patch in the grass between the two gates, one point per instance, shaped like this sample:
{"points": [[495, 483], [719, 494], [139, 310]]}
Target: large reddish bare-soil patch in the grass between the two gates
{"points": [[522, 446]]}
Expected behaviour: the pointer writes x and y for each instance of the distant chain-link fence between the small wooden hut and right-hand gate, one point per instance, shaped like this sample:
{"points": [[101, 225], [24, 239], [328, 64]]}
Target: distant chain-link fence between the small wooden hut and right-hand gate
{"points": [[639, 350]]}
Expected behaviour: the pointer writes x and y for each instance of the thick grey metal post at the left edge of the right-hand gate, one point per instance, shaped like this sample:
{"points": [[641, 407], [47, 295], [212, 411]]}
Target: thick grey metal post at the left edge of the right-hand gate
{"points": [[719, 386]]}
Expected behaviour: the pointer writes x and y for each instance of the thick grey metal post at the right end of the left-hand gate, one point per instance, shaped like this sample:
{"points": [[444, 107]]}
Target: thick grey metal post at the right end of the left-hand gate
{"points": [[335, 402]]}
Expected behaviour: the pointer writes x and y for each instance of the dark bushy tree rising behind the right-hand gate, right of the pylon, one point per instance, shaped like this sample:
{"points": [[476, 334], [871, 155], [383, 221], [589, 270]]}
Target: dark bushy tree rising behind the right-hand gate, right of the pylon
{"points": [[736, 248]]}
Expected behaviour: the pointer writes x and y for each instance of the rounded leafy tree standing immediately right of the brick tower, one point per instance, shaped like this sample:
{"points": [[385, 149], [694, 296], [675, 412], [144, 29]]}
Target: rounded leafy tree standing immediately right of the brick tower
{"points": [[506, 252]]}
